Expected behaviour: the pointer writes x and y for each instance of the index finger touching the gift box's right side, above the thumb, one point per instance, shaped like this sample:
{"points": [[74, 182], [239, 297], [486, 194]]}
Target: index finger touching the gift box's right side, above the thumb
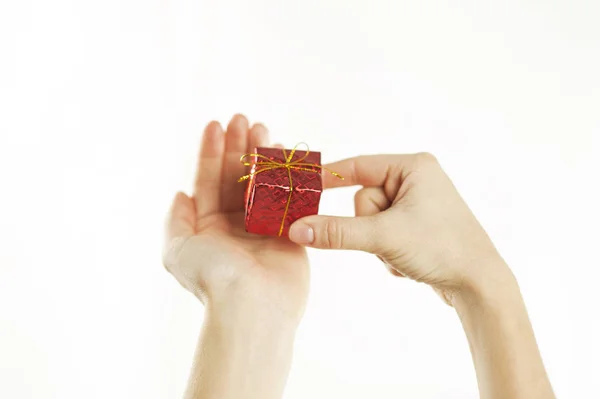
{"points": [[364, 170]]}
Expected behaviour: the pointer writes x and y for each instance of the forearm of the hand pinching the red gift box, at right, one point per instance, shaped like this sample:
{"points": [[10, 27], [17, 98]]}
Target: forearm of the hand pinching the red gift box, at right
{"points": [[501, 338]]}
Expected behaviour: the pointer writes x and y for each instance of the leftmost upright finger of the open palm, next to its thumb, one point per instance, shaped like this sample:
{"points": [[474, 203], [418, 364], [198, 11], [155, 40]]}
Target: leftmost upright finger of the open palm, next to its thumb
{"points": [[207, 190]]}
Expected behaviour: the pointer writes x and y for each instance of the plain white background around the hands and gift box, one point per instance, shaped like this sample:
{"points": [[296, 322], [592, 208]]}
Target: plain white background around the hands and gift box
{"points": [[101, 109]]}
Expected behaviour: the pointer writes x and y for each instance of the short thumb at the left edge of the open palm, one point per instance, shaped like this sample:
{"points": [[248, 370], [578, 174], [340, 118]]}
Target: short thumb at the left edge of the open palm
{"points": [[179, 226]]}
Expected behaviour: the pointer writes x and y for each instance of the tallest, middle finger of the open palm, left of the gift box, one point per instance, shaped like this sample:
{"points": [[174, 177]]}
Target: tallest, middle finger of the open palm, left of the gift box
{"points": [[236, 144]]}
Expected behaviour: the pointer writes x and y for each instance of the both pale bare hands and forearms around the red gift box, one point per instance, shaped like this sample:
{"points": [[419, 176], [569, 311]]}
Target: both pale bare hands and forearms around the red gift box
{"points": [[254, 288]]}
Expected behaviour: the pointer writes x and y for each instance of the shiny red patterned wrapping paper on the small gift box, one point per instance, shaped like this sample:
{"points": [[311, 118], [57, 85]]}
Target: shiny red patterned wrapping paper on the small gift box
{"points": [[268, 192]]}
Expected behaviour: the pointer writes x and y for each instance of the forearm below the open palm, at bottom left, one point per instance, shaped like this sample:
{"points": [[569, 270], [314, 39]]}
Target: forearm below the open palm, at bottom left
{"points": [[241, 354]]}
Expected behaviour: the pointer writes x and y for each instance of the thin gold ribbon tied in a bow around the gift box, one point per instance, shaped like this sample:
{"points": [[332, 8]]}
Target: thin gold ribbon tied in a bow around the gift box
{"points": [[265, 163]]}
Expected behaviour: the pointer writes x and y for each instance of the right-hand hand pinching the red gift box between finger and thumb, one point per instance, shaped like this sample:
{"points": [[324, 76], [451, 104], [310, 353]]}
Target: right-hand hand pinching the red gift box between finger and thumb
{"points": [[411, 216]]}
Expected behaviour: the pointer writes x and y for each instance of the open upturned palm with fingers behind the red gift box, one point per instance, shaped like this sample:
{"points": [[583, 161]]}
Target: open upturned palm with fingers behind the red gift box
{"points": [[209, 252]]}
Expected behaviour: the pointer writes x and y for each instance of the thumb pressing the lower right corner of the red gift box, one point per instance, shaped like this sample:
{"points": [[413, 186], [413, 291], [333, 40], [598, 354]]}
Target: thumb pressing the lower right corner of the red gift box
{"points": [[331, 232]]}
